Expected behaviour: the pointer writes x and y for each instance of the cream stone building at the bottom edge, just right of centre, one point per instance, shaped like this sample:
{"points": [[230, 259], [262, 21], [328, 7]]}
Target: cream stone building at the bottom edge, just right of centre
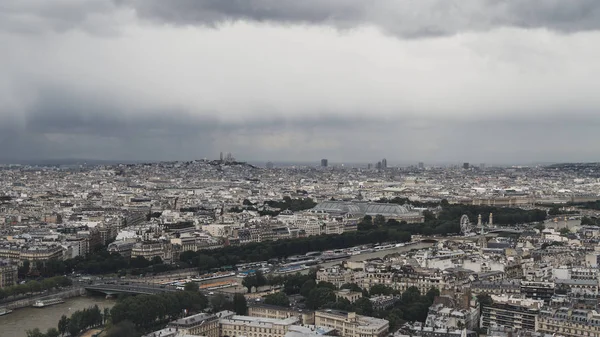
{"points": [[349, 324]]}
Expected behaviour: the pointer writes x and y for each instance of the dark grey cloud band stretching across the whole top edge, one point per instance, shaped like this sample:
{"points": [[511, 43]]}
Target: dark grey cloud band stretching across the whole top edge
{"points": [[406, 18]]}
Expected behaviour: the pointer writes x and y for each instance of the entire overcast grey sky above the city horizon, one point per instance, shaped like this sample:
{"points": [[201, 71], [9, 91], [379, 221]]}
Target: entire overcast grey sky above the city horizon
{"points": [[495, 81]]}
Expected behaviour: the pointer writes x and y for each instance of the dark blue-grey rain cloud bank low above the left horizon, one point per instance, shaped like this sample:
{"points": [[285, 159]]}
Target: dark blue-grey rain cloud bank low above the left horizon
{"points": [[67, 124]]}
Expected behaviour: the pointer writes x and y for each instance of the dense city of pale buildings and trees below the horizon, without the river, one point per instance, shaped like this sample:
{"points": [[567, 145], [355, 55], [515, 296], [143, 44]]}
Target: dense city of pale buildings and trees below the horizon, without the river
{"points": [[223, 248]]}
